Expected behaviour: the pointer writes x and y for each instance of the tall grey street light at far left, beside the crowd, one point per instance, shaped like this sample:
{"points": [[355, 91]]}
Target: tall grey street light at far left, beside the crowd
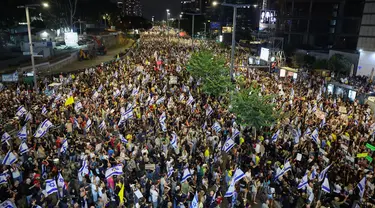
{"points": [[32, 6]]}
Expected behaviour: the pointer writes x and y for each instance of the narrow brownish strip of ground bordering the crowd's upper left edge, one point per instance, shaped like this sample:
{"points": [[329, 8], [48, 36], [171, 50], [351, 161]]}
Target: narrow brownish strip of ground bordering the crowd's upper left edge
{"points": [[111, 53]]}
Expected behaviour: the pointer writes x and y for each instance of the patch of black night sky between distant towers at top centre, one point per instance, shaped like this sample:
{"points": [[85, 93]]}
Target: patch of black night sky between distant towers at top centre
{"points": [[158, 8]]}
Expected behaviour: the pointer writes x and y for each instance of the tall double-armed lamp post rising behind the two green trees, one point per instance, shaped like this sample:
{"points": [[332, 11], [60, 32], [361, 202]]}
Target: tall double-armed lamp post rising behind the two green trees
{"points": [[235, 7]]}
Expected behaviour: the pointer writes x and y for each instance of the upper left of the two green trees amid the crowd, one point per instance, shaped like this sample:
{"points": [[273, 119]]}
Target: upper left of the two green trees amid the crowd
{"points": [[213, 72]]}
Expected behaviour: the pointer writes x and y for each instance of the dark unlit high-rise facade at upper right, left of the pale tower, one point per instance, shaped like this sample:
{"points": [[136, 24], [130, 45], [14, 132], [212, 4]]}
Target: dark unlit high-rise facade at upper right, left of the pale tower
{"points": [[321, 24]]}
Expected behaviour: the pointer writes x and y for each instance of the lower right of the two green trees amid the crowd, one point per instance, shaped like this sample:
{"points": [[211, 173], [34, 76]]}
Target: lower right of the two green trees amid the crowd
{"points": [[252, 109]]}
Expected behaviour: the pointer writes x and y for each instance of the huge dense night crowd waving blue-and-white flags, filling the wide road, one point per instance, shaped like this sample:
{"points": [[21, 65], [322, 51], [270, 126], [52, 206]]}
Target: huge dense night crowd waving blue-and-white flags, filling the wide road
{"points": [[138, 132]]}
